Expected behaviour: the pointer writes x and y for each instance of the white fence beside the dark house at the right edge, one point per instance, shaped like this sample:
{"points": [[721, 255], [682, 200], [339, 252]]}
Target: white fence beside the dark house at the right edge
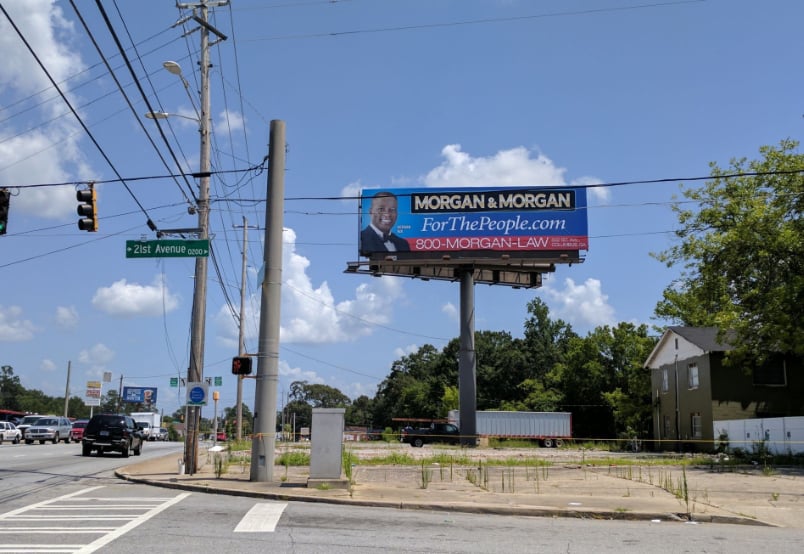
{"points": [[781, 435]]}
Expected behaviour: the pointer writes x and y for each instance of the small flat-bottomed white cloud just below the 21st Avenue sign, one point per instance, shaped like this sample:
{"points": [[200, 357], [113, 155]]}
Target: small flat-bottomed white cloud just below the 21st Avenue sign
{"points": [[123, 299]]}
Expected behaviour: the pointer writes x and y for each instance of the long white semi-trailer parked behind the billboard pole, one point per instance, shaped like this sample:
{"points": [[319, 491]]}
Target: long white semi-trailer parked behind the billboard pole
{"points": [[551, 428]]}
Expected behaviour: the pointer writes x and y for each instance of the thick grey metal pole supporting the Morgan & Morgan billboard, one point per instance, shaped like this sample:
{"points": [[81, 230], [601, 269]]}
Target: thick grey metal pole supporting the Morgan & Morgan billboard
{"points": [[467, 362]]}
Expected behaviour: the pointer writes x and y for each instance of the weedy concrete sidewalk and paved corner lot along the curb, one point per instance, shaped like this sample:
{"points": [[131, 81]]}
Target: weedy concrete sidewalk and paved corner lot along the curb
{"points": [[649, 492]]}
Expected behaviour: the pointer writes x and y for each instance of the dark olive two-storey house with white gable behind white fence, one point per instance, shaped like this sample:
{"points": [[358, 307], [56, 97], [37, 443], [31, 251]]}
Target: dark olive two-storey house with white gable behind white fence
{"points": [[691, 388]]}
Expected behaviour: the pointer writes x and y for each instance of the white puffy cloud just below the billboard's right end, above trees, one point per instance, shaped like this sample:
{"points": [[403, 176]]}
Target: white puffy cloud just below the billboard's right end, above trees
{"points": [[584, 306]]}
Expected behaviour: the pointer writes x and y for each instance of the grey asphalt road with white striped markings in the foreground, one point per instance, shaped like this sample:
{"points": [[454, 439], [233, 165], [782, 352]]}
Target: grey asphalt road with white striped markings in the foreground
{"points": [[54, 500]]}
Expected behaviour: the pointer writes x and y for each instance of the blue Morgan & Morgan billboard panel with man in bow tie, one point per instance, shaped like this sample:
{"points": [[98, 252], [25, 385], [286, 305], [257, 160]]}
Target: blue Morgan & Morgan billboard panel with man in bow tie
{"points": [[502, 219]]}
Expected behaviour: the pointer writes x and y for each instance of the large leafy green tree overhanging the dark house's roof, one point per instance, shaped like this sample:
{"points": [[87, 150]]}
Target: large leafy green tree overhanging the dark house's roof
{"points": [[741, 247]]}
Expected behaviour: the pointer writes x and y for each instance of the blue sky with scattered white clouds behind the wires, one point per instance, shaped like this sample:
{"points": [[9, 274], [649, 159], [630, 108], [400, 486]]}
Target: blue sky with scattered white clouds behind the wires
{"points": [[374, 94]]}
